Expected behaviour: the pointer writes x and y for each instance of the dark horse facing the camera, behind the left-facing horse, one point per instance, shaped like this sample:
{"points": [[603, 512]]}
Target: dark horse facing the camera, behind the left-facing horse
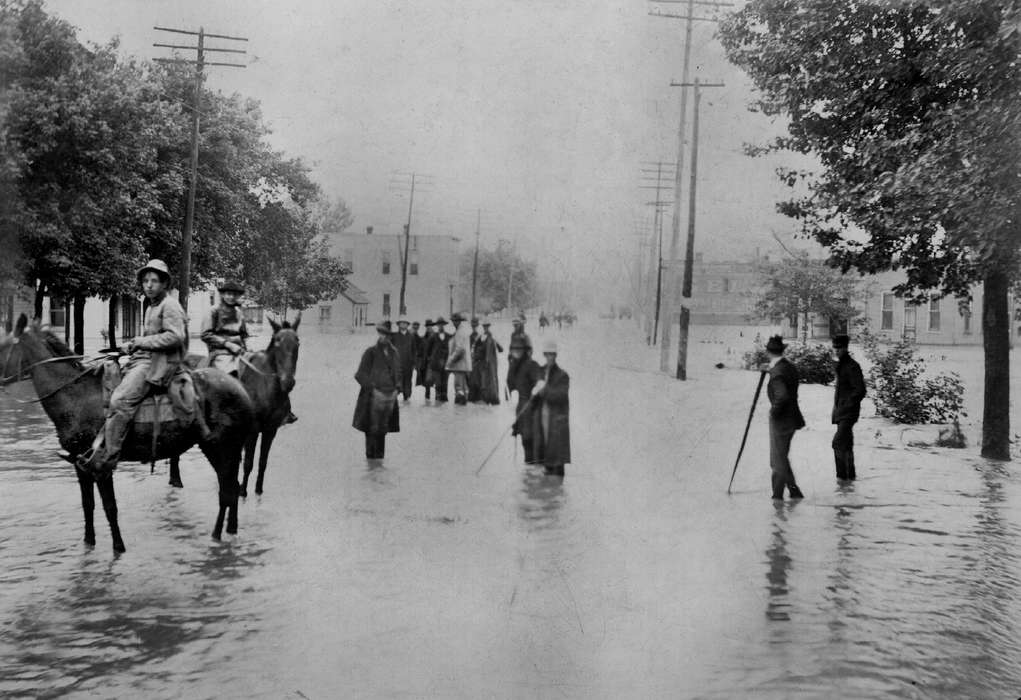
{"points": [[269, 379]]}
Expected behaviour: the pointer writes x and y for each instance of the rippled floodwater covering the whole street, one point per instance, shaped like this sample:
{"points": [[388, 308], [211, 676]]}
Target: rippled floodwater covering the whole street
{"points": [[636, 577]]}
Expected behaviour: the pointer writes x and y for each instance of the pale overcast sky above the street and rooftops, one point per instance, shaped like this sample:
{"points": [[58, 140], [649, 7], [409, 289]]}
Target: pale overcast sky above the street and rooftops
{"points": [[540, 113]]}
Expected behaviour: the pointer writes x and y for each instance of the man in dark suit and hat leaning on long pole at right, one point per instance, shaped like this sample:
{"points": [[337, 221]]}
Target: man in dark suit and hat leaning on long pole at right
{"points": [[785, 418]]}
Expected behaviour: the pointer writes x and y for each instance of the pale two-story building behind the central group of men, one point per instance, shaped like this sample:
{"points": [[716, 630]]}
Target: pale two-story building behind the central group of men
{"points": [[376, 264]]}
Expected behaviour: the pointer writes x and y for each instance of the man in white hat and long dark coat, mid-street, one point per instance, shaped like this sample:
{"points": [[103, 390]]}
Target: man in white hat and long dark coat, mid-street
{"points": [[552, 415]]}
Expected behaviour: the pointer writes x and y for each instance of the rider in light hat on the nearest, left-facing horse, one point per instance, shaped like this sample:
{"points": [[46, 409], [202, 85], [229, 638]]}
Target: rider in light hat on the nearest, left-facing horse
{"points": [[156, 358]]}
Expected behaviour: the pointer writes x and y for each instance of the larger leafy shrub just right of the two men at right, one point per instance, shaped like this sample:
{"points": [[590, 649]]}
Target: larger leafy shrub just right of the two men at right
{"points": [[903, 393]]}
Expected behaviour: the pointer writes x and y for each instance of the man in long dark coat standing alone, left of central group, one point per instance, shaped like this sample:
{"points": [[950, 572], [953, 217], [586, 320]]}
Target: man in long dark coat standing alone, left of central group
{"points": [[376, 412]]}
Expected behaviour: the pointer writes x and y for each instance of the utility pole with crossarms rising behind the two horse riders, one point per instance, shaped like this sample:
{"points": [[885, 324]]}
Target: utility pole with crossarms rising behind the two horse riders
{"points": [[201, 48]]}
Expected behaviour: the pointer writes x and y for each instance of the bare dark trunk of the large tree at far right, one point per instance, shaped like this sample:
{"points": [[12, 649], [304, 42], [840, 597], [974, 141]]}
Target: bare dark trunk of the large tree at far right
{"points": [[997, 344]]}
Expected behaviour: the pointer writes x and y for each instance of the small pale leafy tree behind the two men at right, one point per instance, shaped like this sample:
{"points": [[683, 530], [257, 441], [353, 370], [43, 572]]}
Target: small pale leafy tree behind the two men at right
{"points": [[799, 287]]}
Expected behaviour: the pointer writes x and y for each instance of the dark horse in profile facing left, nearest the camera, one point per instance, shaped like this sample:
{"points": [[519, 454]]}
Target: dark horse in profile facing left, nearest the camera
{"points": [[72, 396]]}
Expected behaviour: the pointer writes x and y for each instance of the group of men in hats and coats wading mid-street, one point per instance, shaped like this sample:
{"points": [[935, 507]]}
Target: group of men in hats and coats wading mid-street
{"points": [[468, 359]]}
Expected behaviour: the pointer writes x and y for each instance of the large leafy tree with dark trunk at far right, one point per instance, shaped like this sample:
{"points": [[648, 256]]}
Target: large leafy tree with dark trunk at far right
{"points": [[912, 112]]}
